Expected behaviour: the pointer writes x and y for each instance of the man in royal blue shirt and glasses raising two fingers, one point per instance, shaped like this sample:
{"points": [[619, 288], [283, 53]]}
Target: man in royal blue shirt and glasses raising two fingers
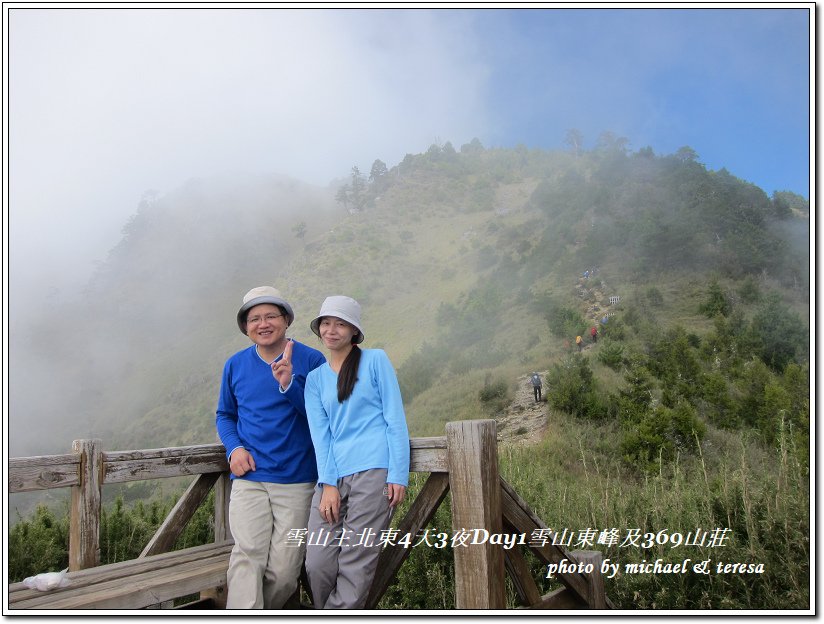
{"points": [[261, 420]]}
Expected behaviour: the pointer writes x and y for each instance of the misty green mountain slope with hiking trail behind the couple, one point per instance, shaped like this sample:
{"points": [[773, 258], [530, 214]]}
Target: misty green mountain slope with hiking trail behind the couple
{"points": [[691, 411]]}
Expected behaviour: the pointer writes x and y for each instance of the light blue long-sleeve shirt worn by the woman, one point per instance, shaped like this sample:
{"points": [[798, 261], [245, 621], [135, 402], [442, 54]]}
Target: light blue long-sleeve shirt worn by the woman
{"points": [[368, 430]]}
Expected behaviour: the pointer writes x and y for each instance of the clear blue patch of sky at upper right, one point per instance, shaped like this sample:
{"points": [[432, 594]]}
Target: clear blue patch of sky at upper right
{"points": [[733, 84]]}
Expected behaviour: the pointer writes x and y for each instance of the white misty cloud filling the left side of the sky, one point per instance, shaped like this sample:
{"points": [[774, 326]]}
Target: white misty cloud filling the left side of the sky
{"points": [[107, 104]]}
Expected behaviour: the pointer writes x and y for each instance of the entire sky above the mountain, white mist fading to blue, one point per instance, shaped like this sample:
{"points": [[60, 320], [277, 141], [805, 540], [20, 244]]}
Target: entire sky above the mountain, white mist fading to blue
{"points": [[107, 103]]}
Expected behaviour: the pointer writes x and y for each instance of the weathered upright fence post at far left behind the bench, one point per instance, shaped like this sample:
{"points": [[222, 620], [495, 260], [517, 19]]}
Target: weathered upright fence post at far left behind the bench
{"points": [[84, 523]]}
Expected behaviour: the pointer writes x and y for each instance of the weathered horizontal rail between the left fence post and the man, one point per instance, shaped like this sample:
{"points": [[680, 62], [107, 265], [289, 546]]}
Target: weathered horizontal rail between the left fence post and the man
{"points": [[123, 466]]}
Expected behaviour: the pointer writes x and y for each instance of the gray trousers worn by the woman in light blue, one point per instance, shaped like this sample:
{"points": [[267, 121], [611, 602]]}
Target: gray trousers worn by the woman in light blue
{"points": [[341, 558]]}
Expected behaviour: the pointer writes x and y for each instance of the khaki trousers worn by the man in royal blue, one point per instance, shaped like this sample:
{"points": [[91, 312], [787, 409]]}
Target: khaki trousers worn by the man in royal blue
{"points": [[264, 565]]}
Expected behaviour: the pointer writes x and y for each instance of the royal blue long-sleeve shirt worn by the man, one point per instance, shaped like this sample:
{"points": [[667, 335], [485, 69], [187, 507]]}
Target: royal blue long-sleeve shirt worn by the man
{"points": [[271, 424]]}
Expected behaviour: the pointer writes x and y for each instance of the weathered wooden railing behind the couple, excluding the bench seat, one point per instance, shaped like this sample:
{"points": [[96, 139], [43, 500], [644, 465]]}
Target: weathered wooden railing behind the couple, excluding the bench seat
{"points": [[464, 462]]}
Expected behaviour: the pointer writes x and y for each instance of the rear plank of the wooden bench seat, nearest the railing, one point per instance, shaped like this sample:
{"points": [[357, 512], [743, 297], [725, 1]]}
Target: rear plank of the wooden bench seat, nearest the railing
{"points": [[122, 570]]}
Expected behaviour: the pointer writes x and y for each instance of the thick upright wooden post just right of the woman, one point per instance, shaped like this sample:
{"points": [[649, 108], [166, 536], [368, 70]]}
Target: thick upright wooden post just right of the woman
{"points": [[476, 507]]}
